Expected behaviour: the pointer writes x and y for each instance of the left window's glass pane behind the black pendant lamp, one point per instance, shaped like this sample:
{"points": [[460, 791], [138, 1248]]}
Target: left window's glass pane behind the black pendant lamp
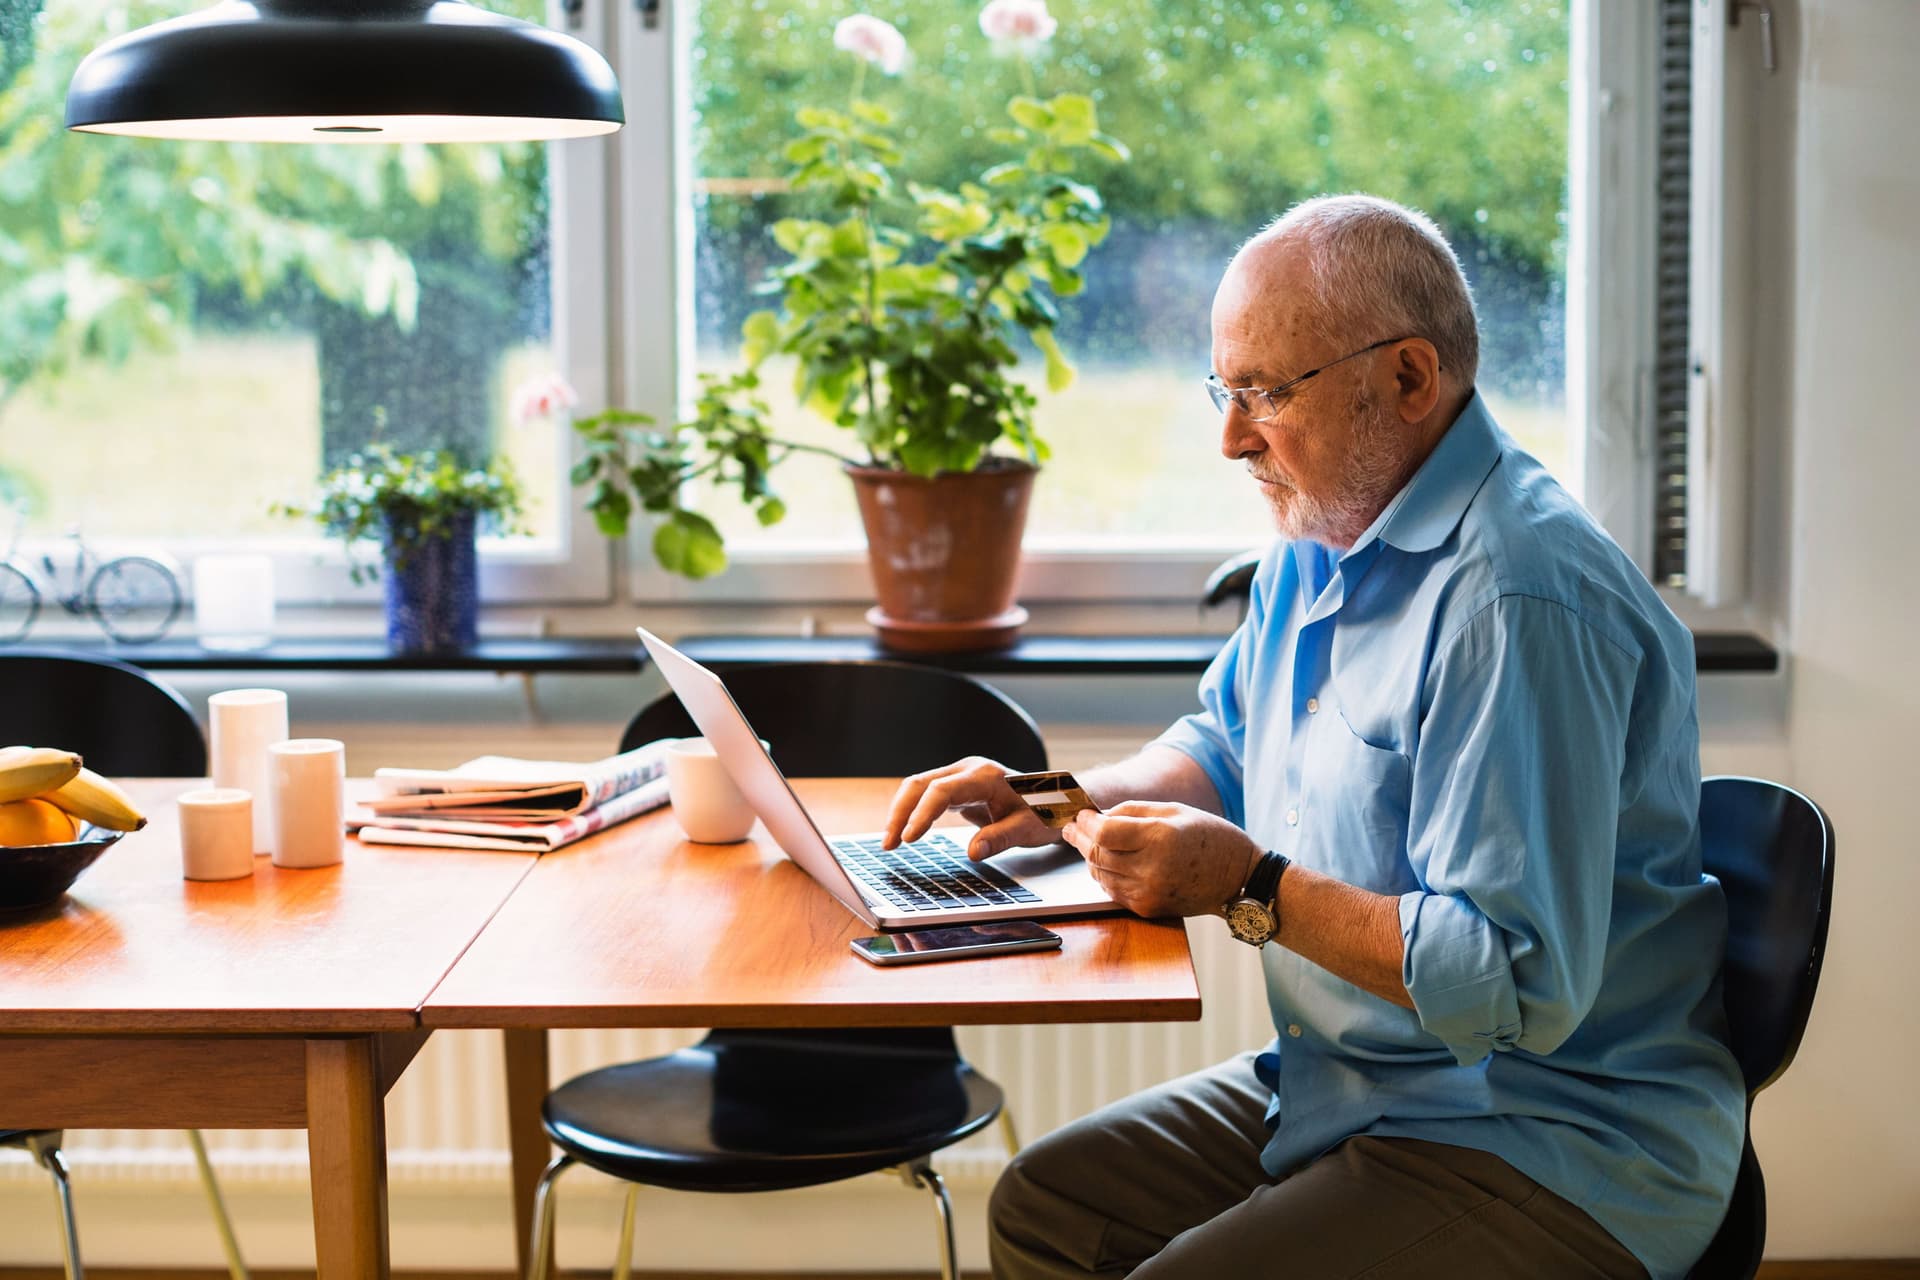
{"points": [[193, 331]]}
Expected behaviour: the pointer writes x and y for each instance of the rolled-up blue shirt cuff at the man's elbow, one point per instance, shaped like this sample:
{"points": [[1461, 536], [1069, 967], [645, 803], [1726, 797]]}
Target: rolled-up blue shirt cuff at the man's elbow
{"points": [[1458, 974]]}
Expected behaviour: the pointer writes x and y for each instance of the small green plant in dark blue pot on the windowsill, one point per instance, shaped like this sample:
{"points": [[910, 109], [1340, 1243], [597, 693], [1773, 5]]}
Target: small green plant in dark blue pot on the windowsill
{"points": [[425, 510]]}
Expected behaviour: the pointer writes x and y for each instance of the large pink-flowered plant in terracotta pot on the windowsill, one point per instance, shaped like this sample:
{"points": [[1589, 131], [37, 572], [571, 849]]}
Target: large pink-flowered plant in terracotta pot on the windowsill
{"points": [[903, 308]]}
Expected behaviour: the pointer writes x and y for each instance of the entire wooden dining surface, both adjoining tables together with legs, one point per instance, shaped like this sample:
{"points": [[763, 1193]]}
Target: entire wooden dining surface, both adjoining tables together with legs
{"points": [[297, 999]]}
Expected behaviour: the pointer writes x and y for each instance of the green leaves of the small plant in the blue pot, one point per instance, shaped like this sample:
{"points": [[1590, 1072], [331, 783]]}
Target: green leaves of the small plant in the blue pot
{"points": [[408, 500]]}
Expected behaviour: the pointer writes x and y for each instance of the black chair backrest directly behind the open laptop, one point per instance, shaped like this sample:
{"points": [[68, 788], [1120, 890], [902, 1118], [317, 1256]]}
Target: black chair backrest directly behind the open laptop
{"points": [[863, 719]]}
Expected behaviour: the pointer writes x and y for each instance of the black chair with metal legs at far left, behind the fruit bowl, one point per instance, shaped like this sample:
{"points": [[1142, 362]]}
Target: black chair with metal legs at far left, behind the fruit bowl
{"points": [[124, 723]]}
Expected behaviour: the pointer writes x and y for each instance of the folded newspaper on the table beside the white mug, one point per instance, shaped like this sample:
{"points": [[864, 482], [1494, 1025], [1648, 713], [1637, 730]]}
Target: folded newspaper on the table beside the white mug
{"points": [[510, 803]]}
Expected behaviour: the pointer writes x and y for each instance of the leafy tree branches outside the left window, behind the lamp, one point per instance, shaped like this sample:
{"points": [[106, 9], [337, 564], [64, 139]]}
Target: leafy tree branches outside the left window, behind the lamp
{"points": [[112, 243]]}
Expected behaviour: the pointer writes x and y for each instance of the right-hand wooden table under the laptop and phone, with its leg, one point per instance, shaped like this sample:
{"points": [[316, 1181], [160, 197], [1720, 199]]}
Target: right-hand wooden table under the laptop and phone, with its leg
{"points": [[636, 928]]}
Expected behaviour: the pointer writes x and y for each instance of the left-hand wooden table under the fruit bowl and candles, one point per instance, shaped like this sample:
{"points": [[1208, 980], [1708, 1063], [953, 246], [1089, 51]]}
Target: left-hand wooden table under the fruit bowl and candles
{"points": [[283, 1001]]}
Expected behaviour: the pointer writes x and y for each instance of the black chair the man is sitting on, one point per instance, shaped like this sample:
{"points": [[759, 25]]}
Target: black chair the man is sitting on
{"points": [[1773, 853]]}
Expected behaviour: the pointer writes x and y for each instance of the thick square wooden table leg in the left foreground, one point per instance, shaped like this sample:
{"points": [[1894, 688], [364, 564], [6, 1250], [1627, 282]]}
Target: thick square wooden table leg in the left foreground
{"points": [[347, 1147]]}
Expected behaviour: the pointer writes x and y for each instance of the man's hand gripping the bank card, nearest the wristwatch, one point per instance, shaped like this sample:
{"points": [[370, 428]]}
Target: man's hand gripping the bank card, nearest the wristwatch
{"points": [[1164, 859]]}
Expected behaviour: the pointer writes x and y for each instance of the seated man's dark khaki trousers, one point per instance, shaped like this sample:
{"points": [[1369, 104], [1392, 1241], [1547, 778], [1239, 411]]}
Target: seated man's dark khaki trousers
{"points": [[1168, 1185]]}
